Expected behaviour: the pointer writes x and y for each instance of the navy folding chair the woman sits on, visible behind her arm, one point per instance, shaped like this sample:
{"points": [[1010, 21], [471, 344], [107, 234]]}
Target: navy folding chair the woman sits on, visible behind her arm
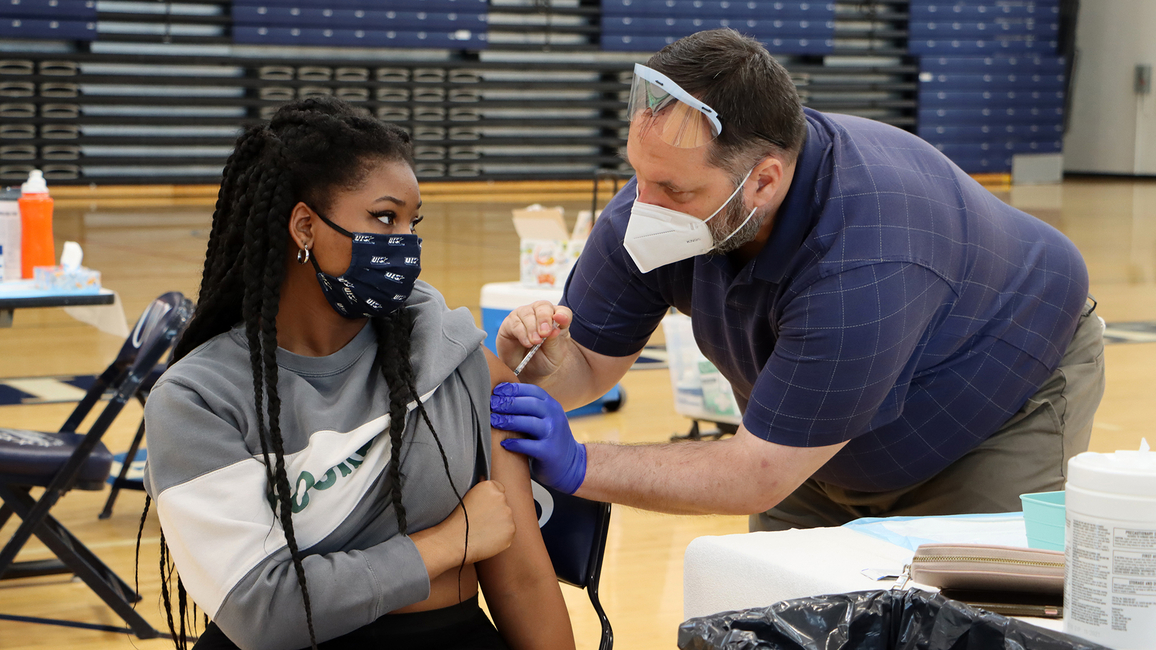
{"points": [[575, 534]]}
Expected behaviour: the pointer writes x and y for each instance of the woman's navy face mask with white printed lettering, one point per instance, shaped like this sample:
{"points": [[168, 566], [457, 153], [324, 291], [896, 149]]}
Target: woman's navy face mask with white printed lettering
{"points": [[381, 277]]}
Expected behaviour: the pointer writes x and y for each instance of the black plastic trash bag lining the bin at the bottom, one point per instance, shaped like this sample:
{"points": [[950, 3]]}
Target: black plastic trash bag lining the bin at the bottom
{"points": [[871, 621]]}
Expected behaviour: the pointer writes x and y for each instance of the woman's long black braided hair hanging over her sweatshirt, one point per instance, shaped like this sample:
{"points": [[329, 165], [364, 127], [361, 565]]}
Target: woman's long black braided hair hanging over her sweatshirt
{"points": [[309, 150]]}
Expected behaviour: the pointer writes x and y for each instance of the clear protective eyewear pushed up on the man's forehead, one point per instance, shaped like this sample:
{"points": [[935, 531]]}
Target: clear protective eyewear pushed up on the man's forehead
{"points": [[658, 104]]}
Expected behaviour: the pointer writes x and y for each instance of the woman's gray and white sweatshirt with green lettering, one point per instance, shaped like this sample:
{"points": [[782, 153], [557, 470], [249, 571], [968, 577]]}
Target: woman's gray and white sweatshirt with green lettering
{"points": [[208, 476]]}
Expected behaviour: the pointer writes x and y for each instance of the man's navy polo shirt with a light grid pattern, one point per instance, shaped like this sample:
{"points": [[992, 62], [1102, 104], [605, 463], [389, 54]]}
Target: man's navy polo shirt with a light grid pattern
{"points": [[898, 306]]}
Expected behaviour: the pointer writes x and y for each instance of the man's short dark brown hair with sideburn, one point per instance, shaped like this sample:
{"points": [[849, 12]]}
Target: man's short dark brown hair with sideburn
{"points": [[753, 94]]}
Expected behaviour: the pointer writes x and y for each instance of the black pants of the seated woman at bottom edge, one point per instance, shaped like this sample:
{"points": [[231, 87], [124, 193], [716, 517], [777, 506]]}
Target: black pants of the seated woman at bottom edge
{"points": [[458, 627]]}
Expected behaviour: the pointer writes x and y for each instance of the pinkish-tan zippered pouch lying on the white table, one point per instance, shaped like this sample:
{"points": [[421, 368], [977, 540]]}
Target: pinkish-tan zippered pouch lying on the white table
{"points": [[989, 568]]}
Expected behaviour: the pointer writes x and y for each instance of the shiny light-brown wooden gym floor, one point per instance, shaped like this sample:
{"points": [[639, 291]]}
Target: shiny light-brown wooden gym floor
{"points": [[149, 241]]}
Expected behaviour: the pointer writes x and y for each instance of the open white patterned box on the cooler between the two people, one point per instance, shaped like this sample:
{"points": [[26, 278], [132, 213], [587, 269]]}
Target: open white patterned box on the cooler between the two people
{"points": [[549, 253]]}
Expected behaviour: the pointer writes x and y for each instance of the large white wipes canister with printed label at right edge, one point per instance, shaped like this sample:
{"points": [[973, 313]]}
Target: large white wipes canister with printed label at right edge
{"points": [[1110, 578]]}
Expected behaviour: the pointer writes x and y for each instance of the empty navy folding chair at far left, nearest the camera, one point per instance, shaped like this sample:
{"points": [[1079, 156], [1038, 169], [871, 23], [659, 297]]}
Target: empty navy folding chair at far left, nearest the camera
{"points": [[69, 460]]}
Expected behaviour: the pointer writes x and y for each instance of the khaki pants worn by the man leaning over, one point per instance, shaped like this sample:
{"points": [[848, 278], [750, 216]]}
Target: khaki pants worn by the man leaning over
{"points": [[1029, 454]]}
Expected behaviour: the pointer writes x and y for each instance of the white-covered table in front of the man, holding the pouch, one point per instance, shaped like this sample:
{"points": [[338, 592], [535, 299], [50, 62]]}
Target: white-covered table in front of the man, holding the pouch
{"points": [[742, 572]]}
